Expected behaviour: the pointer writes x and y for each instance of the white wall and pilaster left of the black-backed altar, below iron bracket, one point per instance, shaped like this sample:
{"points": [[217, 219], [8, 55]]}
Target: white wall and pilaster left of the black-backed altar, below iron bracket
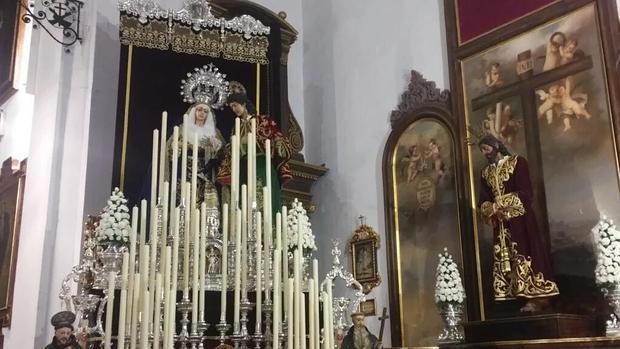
{"points": [[65, 89]]}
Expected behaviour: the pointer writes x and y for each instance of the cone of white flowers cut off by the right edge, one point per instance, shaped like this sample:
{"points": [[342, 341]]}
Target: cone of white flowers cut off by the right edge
{"points": [[607, 242]]}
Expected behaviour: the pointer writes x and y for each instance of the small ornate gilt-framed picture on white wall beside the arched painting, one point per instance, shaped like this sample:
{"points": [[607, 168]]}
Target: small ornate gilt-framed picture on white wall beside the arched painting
{"points": [[363, 248]]}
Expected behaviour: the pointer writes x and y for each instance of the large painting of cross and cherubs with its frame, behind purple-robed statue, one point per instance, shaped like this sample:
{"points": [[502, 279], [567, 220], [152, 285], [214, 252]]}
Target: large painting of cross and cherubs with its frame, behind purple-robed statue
{"points": [[546, 85]]}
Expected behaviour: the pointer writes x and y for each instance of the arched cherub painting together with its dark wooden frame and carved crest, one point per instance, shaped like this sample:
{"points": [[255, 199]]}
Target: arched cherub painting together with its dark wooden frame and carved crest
{"points": [[421, 191]]}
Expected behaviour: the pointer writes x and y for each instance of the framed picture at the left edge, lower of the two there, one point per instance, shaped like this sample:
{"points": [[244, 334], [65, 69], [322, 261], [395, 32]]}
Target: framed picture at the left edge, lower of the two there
{"points": [[12, 179]]}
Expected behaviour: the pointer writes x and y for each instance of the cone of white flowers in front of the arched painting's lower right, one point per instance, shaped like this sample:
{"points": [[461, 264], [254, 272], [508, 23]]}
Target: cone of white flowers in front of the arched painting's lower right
{"points": [[448, 287]]}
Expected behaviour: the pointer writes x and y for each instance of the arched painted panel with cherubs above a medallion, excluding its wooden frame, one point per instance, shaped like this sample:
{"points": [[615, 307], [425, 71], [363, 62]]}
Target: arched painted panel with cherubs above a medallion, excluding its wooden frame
{"points": [[427, 216]]}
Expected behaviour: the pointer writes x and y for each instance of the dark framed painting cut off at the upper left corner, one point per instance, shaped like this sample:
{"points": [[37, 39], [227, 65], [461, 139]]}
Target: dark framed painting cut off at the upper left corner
{"points": [[11, 28]]}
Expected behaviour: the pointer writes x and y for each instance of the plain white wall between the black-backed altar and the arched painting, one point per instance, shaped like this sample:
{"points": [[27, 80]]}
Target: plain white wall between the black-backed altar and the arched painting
{"points": [[357, 59]]}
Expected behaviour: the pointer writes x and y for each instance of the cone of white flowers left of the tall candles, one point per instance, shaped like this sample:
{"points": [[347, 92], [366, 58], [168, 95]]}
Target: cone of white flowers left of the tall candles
{"points": [[114, 224]]}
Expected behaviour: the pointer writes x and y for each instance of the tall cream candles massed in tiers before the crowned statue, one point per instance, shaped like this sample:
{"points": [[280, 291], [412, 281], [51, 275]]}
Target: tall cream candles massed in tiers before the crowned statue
{"points": [[150, 273]]}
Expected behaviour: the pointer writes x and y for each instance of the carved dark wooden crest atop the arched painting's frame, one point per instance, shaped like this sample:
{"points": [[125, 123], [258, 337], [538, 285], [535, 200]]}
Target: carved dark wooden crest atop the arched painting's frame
{"points": [[420, 93]]}
